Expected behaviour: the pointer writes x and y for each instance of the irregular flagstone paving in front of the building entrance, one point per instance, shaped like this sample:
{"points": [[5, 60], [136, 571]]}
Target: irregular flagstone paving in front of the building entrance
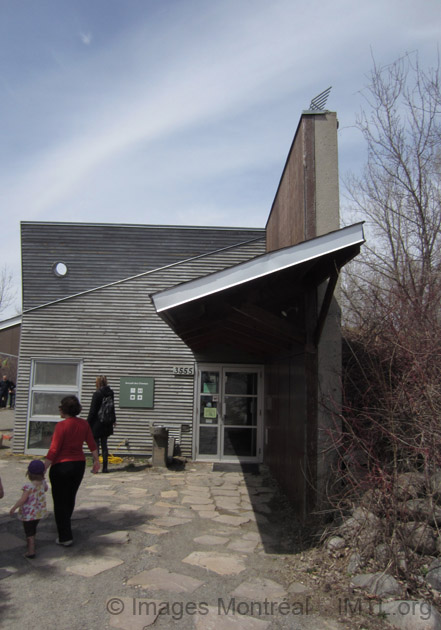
{"points": [[153, 548]]}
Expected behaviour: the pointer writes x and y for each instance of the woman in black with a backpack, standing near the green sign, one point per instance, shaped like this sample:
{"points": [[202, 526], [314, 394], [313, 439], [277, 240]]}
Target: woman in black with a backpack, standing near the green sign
{"points": [[102, 417]]}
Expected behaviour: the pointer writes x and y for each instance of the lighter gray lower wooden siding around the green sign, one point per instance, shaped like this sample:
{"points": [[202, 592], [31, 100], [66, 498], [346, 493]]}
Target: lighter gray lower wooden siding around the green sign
{"points": [[115, 331]]}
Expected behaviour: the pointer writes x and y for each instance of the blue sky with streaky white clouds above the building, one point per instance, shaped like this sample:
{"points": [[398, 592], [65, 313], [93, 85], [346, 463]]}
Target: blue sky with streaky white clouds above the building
{"points": [[178, 112]]}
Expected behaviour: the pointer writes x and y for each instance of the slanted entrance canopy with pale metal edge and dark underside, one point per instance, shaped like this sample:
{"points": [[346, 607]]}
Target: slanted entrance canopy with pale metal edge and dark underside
{"points": [[258, 305]]}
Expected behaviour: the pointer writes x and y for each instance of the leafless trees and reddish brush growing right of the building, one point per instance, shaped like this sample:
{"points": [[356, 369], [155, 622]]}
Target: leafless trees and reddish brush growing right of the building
{"points": [[391, 420]]}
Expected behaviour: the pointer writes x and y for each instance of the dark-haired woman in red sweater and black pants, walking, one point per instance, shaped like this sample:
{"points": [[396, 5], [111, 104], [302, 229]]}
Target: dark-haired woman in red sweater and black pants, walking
{"points": [[67, 461]]}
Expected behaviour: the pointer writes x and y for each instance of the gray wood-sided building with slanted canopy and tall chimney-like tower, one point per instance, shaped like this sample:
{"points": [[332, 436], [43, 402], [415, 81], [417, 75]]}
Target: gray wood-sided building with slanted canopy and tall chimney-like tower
{"points": [[229, 337]]}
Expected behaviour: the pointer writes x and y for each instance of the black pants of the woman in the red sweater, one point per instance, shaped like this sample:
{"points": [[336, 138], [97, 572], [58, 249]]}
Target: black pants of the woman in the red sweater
{"points": [[65, 479]]}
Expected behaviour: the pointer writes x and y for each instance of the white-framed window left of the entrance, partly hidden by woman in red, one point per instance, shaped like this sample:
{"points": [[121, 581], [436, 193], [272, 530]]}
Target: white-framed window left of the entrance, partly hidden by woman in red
{"points": [[51, 380]]}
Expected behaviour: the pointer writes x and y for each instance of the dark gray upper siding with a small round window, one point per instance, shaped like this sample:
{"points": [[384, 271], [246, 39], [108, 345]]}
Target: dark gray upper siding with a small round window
{"points": [[96, 255]]}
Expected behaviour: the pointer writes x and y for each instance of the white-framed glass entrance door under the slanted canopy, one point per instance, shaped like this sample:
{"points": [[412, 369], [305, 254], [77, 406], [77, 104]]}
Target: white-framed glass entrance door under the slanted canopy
{"points": [[229, 413]]}
